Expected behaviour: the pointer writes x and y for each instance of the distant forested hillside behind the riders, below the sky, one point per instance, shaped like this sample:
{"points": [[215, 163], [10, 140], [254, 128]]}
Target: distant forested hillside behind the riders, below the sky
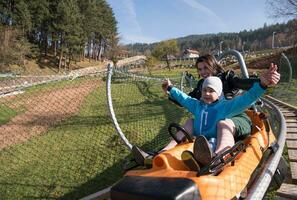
{"points": [[247, 40]]}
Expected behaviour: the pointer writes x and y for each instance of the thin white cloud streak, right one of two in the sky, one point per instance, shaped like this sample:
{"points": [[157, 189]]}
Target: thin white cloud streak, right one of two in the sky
{"points": [[212, 15]]}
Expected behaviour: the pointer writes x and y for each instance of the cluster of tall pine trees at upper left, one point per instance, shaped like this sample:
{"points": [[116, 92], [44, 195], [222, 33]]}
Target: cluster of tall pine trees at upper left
{"points": [[69, 30]]}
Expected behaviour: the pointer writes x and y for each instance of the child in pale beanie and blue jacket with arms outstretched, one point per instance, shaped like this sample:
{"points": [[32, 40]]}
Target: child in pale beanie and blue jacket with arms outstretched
{"points": [[211, 108]]}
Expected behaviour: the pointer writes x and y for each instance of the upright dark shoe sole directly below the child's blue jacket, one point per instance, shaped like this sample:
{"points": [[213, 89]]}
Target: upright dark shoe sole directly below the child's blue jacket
{"points": [[202, 150]]}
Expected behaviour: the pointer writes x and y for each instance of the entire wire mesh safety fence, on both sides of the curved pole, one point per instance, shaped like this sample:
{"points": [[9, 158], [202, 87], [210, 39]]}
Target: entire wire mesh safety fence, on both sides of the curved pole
{"points": [[57, 139]]}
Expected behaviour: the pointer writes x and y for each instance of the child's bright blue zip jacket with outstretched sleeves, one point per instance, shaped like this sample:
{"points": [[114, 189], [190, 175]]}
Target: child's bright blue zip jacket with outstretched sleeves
{"points": [[206, 116]]}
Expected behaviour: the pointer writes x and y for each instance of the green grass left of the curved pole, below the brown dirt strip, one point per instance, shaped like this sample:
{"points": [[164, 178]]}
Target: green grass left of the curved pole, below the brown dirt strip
{"points": [[73, 159]]}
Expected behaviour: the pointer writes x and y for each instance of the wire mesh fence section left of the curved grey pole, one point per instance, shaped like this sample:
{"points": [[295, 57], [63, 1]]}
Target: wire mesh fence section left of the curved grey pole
{"points": [[56, 139]]}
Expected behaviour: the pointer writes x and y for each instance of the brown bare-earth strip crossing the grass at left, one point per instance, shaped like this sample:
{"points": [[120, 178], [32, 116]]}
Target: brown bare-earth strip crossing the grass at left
{"points": [[43, 111]]}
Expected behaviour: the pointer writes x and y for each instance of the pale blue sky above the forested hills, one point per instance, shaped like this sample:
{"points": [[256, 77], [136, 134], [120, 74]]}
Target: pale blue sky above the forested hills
{"points": [[150, 21]]}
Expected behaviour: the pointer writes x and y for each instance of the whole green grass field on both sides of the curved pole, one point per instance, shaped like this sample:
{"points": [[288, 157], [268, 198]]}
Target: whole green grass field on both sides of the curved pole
{"points": [[83, 154]]}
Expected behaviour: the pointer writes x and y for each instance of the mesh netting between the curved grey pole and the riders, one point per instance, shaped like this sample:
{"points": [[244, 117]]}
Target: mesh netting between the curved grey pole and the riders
{"points": [[143, 110]]}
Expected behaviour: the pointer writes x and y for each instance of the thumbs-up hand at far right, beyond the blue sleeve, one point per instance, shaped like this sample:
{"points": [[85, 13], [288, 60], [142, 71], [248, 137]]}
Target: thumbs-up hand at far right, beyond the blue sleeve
{"points": [[270, 77]]}
